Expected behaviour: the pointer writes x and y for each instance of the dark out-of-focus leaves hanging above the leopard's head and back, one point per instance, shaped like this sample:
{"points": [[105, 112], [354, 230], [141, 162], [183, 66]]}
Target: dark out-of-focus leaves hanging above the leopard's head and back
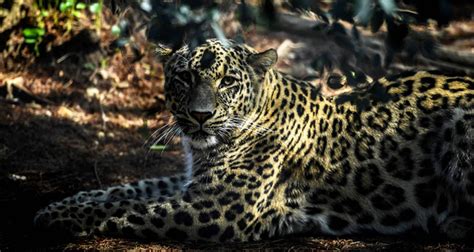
{"points": [[191, 22]]}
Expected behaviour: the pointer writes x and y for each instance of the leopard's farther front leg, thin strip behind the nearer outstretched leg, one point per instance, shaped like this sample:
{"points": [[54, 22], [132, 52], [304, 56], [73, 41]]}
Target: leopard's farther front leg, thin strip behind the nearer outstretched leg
{"points": [[146, 188]]}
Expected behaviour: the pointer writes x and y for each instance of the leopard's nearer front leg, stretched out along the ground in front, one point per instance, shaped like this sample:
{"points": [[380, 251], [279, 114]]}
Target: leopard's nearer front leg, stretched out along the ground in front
{"points": [[216, 213]]}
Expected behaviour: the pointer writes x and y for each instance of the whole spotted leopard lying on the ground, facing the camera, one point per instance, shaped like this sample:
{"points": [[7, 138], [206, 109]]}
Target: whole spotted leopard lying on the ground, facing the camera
{"points": [[269, 155]]}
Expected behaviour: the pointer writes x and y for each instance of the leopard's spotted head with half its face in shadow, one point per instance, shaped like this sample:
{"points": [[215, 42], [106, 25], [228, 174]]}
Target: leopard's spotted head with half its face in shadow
{"points": [[212, 89]]}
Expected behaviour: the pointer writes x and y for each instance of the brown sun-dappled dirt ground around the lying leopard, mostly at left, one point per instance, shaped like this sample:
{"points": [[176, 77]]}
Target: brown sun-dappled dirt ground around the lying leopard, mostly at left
{"points": [[66, 127]]}
